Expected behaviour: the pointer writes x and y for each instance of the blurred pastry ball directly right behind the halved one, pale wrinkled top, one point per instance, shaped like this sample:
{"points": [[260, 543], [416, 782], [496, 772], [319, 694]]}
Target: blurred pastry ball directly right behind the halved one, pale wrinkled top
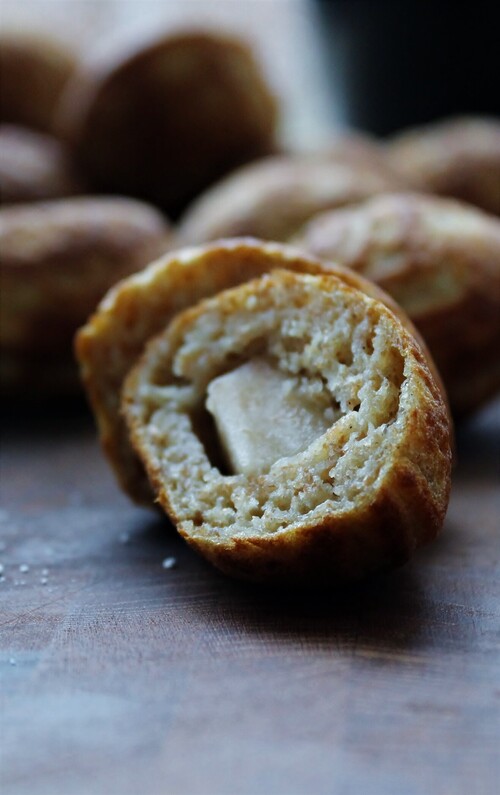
{"points": [[440, 260]]}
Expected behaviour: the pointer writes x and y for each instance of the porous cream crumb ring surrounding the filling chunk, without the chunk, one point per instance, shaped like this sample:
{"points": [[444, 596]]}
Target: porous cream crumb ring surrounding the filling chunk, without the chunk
{"points": [[341, 353]]}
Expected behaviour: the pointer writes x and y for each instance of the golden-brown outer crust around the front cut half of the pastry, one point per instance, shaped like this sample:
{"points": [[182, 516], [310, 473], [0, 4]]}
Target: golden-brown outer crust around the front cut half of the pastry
{"points": [[381, 530]]}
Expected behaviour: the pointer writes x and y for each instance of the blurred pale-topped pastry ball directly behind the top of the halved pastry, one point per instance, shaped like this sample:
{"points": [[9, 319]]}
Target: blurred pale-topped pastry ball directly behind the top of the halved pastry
{"points": [[274, 197]]}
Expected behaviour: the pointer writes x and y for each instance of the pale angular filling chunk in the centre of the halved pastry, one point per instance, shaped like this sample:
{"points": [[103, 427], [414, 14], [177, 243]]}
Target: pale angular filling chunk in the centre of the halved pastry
{"points": [[261, 416]]}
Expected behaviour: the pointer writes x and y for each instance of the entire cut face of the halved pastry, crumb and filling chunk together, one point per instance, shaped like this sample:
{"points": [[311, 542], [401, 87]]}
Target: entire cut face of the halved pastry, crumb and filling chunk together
{"points": [[307, 391]]}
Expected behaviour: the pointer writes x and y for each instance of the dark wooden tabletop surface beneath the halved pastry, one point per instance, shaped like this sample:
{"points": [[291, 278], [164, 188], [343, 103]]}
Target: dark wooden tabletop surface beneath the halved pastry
{"points": [[119, 676]]}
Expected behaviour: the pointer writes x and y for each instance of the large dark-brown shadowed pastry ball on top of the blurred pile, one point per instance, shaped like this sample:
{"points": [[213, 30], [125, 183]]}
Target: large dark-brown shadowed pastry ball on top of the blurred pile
{"points": [[165, 120]]}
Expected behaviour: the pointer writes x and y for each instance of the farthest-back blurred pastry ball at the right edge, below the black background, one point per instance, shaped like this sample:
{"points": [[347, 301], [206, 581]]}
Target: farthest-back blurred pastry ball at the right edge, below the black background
{"points": [[458, 158]]}
